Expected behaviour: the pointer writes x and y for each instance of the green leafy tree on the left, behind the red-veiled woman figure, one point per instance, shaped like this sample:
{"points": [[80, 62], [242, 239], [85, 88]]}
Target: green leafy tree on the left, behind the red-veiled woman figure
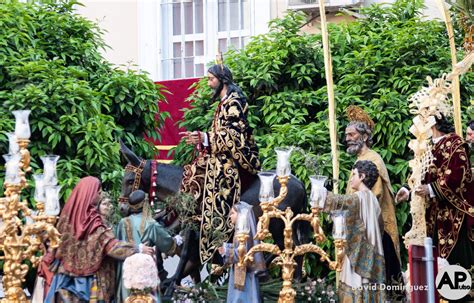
{"points": [[50, 62]]}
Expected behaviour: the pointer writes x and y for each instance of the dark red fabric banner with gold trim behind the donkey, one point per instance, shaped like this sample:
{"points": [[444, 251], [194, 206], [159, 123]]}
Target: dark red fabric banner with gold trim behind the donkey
{"points": [[179, 91]]}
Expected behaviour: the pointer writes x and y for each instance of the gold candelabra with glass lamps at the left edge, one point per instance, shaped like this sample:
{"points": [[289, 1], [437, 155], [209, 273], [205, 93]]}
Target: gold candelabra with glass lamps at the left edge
{"points": [[23, 231]]}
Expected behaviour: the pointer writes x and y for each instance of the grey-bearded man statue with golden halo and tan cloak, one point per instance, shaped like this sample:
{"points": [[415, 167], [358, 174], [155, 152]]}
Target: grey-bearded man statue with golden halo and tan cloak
{"points": [[359, 140]]}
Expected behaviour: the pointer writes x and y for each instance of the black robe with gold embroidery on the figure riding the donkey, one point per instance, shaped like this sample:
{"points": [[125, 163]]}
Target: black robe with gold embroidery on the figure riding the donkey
{"points": [[214, 178]]}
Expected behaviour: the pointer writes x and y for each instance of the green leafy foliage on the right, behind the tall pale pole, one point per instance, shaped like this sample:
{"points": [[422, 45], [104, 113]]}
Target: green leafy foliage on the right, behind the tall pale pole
{"points": [[378, 62]]}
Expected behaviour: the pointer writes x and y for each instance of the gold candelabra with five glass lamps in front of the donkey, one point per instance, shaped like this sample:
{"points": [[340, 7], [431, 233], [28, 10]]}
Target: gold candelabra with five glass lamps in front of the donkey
{"points": [[269, 205]]}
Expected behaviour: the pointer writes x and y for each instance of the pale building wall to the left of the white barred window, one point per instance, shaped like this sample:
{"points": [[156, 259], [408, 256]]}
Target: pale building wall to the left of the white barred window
{"points": [[119, 20]]}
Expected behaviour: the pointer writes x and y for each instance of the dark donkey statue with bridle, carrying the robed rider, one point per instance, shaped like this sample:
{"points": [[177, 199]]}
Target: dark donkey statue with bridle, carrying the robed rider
{"points": [[163, 180]]}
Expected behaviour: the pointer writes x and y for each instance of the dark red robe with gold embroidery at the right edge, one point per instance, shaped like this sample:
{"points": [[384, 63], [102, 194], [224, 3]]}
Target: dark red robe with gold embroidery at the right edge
{"points": [[451, 213]]}
